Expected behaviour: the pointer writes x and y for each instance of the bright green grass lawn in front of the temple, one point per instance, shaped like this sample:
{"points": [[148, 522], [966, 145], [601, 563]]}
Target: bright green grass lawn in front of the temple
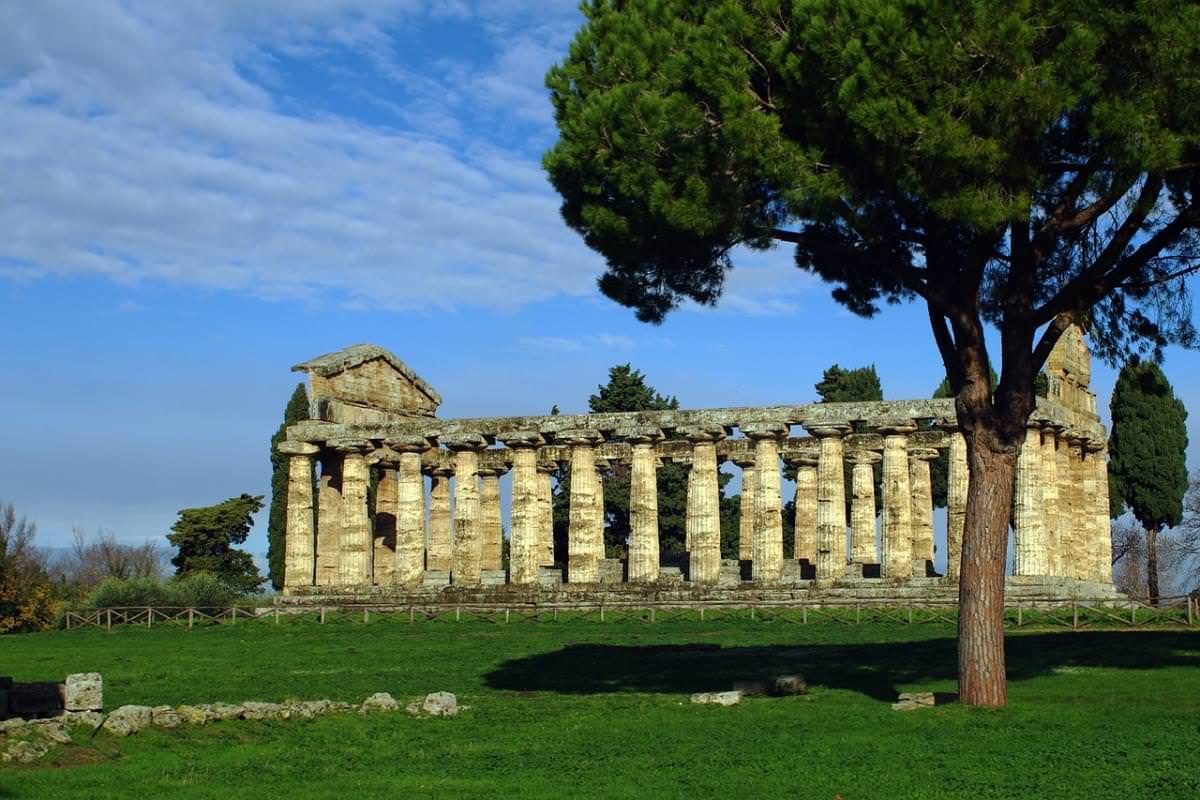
{"points": [[584, 709]]}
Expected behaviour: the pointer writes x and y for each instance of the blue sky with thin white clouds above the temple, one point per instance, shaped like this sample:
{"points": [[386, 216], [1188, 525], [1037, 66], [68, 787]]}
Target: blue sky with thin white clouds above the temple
{"points": [[200, 195]]}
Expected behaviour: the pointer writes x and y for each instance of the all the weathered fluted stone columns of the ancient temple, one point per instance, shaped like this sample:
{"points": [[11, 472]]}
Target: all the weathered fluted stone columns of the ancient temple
{"points": [[1059, 521]]}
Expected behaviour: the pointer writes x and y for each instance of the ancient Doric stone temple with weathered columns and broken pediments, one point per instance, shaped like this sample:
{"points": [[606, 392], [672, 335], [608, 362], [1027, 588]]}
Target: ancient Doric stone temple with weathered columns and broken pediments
{"points": [[437, 522]]}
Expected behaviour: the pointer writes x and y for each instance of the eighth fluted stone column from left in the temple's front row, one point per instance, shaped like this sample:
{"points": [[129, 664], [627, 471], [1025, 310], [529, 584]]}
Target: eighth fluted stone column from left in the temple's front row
{"points": [[704, 521]]}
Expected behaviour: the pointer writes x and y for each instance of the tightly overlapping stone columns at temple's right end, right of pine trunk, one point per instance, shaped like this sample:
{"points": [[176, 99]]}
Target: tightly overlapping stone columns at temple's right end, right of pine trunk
{"points": [[1061, 507]]}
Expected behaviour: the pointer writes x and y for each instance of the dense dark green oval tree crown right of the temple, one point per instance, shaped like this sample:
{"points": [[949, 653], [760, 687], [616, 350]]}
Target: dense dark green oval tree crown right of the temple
{"points": [[1148, 449]]}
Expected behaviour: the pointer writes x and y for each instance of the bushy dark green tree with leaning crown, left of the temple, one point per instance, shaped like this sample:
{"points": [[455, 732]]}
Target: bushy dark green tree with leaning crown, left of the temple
{"points": [[206, 538]]}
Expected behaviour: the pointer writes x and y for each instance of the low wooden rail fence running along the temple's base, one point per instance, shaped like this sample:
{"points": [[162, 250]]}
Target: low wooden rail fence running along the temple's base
{"points": [[1025, 612]]}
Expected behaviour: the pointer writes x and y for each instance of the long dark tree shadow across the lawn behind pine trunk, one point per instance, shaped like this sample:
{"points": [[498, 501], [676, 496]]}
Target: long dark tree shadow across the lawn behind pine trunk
{"points": [[875, 670]]}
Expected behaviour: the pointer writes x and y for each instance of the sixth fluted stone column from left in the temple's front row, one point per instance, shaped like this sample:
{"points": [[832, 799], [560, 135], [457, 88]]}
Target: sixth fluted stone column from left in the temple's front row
{"points": [[585, 545]]}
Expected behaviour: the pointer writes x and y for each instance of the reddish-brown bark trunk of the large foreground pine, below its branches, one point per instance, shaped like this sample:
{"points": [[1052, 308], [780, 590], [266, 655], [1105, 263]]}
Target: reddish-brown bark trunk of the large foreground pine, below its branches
{"points": [[982, 679]]}
